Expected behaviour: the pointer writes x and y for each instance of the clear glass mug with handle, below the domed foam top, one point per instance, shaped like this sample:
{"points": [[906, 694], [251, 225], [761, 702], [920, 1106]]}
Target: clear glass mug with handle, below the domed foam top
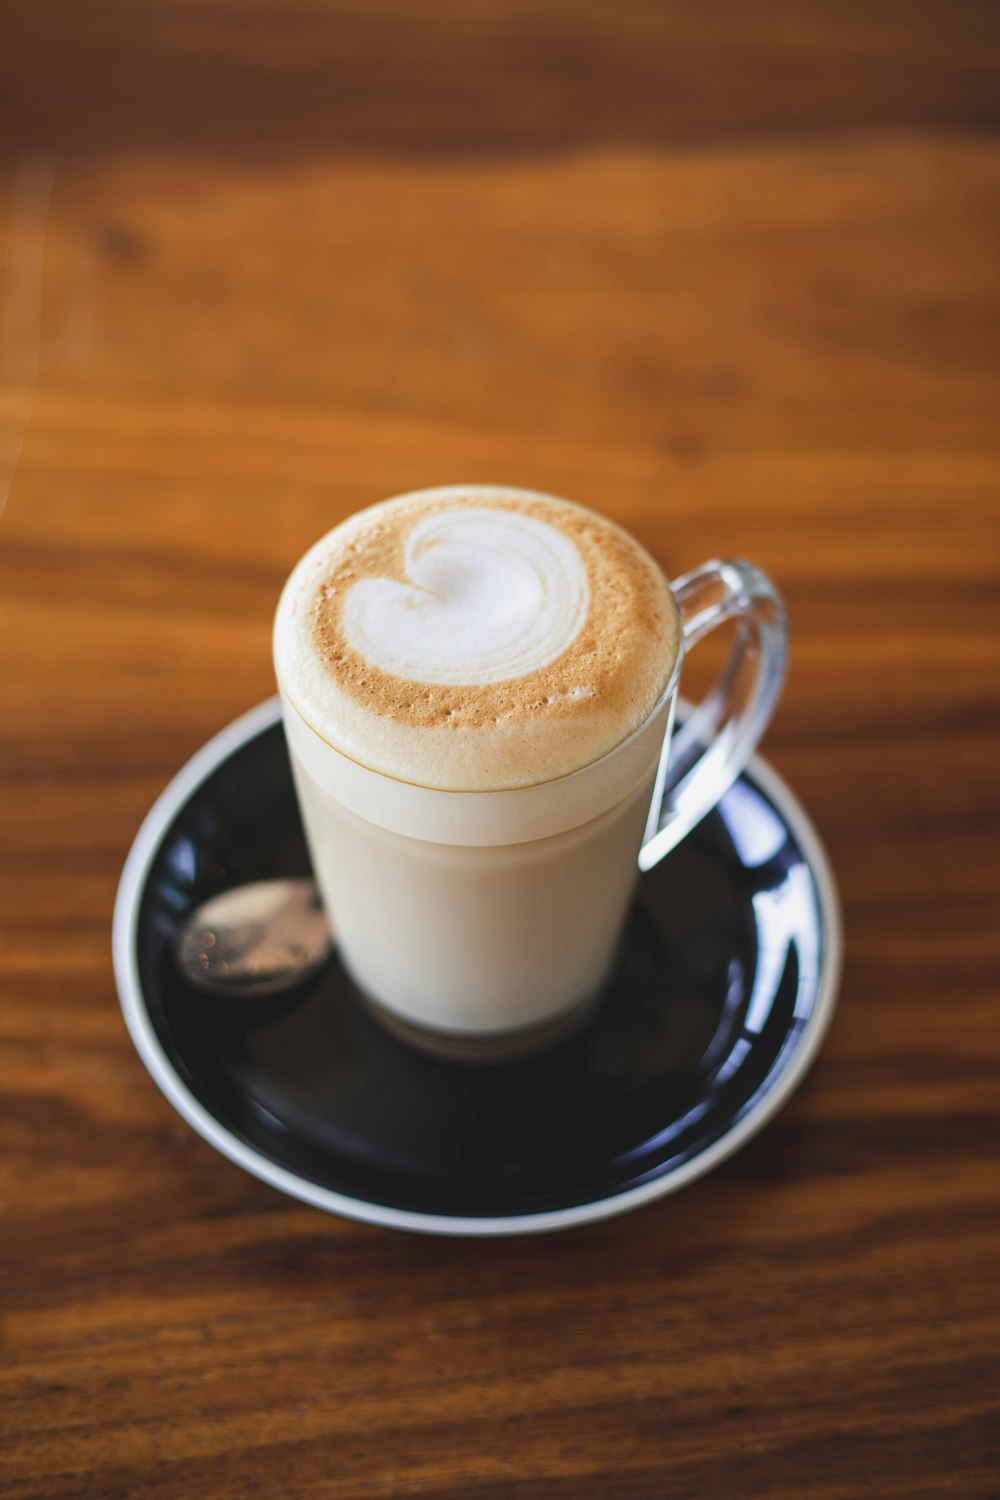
{"points": [[482, 925]]}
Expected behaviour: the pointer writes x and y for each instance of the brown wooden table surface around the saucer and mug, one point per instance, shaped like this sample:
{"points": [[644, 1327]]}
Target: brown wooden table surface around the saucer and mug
{"points": [[725, 272]]}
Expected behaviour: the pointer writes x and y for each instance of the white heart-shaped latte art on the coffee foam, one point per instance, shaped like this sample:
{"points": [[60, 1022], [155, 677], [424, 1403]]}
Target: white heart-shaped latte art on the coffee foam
{"points": [[491, 595]]}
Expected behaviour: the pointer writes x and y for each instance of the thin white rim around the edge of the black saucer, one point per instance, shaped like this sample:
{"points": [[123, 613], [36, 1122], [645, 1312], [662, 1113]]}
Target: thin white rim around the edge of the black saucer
{"points": [[164, 1075]]}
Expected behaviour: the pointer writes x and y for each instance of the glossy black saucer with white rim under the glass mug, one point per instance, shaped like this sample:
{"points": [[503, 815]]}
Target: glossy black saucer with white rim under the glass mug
{"points": [[723, 989]]}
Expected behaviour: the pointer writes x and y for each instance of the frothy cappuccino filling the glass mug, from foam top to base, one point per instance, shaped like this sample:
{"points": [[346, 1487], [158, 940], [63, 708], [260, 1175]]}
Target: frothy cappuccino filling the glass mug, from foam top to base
{"points": [[478, 685]]}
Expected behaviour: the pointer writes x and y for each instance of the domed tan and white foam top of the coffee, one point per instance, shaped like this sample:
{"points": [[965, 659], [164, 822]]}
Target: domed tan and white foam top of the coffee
{"points": [[476, 640]]}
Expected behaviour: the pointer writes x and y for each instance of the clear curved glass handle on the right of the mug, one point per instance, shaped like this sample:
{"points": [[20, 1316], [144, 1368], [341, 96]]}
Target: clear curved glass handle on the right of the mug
{"points": [[719, 737]]}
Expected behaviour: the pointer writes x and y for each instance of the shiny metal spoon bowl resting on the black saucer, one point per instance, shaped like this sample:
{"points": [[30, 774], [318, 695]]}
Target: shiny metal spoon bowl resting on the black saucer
{"points": [[256, 940]]}
